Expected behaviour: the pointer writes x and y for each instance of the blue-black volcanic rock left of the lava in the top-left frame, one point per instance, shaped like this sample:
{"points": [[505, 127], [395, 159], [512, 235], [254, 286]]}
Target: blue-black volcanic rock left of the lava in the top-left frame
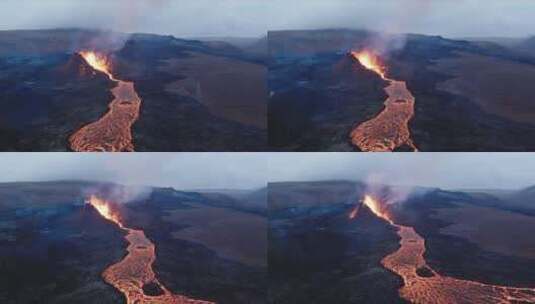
{"points": [[46, 99]]}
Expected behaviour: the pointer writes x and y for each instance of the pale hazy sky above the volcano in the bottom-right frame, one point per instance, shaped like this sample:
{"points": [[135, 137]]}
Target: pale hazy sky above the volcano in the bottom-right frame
{"points": [[444, 170]]}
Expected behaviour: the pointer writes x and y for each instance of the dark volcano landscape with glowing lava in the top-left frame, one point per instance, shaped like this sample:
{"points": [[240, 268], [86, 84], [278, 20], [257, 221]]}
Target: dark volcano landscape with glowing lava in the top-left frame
{"points": [[146, 93]]}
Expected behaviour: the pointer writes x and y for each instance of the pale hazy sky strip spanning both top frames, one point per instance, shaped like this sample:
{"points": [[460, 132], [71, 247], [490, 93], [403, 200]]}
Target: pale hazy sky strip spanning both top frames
{"points": [[254, 17]]}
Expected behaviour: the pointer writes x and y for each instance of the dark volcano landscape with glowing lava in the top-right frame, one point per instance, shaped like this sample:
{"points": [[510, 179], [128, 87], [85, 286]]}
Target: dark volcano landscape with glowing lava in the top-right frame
{"points": [[406, 93]]}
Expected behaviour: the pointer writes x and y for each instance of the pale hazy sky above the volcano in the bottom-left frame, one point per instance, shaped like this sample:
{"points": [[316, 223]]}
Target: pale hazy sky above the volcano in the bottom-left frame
{"points": [[178, 170]]}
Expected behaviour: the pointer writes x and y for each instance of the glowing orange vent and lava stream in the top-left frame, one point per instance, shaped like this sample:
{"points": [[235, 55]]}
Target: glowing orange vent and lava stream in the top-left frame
{"points": [[113, 131]]}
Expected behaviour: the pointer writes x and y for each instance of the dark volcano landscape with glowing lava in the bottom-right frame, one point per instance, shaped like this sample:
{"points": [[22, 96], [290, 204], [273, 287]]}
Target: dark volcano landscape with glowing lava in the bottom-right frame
{"points": [[435, 246]]}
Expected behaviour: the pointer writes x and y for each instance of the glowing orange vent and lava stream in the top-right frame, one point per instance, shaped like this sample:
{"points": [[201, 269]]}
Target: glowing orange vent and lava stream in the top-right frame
{"points": [[390, 128]]}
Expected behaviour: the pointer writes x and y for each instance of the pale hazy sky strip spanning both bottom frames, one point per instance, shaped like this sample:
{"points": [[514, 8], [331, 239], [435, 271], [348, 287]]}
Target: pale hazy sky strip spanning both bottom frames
{"points": [[252, 170]]}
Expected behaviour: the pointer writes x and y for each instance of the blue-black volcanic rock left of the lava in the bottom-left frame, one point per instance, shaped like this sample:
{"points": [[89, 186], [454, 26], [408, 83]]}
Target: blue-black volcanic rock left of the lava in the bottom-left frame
{"points": [[58, 250]]}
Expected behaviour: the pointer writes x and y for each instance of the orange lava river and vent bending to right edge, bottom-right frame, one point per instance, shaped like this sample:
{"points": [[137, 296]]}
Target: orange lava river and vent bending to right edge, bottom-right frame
{"points": [[433, 287]]}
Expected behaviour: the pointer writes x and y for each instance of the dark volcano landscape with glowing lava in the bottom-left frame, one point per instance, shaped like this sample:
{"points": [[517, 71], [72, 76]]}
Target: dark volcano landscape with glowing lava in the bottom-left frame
{"points": [[160, 247]]}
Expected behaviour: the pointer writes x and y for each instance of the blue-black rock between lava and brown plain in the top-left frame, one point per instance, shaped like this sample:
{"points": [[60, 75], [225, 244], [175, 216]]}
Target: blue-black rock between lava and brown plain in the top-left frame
{"points": [[171, 122]]}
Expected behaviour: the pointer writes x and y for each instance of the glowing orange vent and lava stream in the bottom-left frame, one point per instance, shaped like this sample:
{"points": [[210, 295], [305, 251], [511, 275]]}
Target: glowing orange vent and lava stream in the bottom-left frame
{"points": [[135, 271]]}
